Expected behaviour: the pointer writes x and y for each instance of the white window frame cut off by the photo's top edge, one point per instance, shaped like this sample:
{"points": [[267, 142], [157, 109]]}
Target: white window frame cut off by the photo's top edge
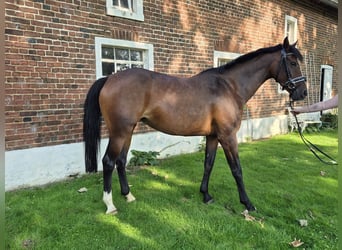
{"points": [[134, 12]]}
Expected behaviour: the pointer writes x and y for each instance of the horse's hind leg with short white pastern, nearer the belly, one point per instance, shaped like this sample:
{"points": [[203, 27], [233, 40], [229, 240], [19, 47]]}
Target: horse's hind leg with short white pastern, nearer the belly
{"points": [[121, 167]]}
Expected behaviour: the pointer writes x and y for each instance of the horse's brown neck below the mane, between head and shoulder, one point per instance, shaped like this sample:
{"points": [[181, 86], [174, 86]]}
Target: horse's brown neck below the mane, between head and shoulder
{"points": [[251, 75]]}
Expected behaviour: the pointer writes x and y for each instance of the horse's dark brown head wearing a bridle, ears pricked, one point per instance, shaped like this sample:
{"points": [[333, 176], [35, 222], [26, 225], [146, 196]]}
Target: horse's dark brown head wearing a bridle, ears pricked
{"points": [[288, 74]]}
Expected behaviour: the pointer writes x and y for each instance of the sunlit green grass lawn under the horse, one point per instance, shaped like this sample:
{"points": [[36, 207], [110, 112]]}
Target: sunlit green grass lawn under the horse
{"points": [[281, 176]]}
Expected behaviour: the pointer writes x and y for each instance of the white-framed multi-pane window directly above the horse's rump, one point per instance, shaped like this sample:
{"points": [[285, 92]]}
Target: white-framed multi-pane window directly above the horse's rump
{"points": [[113, 55]]}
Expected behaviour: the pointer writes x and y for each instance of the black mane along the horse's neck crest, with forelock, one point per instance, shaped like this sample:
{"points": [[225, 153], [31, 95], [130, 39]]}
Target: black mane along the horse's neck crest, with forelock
{"points": [[253, 54]]}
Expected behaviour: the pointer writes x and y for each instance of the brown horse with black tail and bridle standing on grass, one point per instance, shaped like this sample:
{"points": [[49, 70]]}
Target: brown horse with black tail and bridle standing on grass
{"points": [[208, 104]]}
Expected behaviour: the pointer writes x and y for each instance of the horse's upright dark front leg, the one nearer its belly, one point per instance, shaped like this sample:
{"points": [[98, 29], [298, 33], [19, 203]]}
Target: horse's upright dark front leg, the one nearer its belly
{"points": [[210, 153]]}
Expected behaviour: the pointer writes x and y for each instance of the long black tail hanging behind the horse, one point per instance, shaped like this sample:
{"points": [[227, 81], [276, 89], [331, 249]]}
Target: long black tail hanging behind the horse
{"points": [[92, 125]]}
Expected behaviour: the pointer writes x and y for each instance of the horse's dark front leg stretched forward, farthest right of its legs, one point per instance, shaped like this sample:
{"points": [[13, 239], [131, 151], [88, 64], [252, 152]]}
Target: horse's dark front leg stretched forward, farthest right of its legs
{"points": [[230, 147]]}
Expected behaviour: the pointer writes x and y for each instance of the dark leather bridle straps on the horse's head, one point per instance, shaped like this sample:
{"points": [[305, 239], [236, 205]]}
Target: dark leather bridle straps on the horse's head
{"points": [[292, 83]]}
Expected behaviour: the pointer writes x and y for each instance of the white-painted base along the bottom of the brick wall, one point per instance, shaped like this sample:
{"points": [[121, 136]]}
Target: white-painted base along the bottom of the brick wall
{"points": [[39, 166]]}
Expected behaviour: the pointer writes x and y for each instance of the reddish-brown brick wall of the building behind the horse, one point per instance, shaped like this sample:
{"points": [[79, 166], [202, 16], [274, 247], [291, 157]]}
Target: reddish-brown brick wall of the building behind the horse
{"points": [[50, 56]]}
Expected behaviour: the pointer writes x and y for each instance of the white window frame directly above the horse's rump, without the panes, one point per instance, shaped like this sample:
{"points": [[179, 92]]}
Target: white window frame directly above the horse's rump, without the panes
{"points": [[117, 43]]}
